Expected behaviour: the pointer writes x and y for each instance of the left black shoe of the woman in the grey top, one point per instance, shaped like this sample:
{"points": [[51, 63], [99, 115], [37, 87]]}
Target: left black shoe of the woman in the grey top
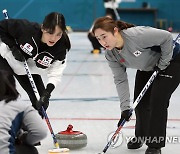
{"points": [[134, 143]]}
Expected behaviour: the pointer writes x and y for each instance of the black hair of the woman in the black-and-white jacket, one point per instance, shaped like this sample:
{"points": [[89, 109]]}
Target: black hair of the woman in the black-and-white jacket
{"points": [[54, 19]]}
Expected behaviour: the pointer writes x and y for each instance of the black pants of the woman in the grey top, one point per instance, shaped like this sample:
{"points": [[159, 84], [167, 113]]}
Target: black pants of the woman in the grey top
{"points": [[152, 111]]}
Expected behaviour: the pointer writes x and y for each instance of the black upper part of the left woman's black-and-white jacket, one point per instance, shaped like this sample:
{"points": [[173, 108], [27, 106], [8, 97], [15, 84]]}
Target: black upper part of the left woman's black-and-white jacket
{"points": [[17, 32]]}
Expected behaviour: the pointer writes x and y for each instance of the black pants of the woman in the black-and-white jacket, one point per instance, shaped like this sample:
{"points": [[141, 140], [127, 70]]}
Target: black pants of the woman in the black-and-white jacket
{"points": [[24, 81]]}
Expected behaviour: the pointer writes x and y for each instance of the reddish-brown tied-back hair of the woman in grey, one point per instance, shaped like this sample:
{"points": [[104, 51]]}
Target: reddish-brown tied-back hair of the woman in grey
{"points": [[108, 24]]}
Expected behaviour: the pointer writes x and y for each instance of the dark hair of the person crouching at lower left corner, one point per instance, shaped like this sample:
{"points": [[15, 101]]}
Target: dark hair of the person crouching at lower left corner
{"points": [[8, 90]]}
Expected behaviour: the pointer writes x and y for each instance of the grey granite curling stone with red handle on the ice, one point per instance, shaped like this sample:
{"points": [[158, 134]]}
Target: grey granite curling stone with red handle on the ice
{"points": [[71, 139]]}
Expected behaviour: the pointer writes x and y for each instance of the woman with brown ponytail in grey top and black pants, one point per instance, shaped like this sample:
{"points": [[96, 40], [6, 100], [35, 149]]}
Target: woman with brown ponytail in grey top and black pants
{"points": [[146, 49]]}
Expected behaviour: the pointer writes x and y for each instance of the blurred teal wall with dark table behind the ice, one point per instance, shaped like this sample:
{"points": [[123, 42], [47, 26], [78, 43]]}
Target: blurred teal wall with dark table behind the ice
{"points": [[80, 14]]}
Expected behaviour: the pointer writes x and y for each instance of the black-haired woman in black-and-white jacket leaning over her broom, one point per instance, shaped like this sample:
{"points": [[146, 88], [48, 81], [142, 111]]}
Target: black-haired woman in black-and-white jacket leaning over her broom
{"points": [[44, 47]]}
